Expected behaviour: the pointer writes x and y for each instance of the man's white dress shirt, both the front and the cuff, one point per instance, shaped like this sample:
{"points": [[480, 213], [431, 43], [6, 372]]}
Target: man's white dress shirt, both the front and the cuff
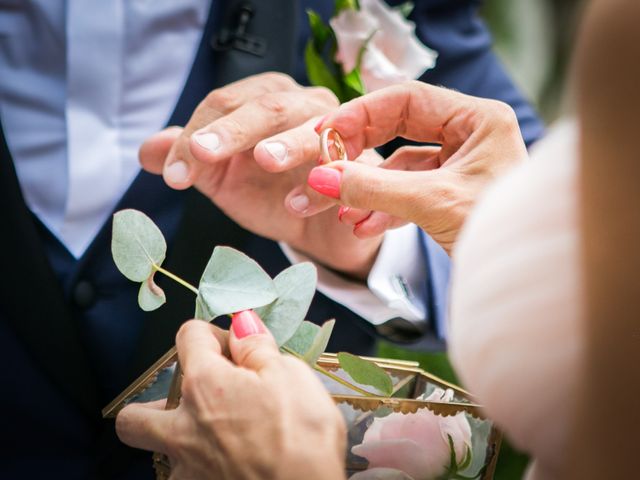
{"points": [[84, 82]]}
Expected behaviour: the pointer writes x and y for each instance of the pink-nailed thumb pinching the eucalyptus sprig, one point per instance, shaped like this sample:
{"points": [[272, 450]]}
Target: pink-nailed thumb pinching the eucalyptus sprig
{"points": [[252, 346]]}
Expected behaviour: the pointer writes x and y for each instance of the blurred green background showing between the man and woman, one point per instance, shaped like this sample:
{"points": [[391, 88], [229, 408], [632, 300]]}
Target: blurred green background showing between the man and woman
{"points": [[534, 39]]}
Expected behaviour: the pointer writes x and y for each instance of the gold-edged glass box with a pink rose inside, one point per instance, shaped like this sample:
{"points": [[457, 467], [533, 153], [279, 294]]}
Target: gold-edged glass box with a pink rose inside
{"points": [[427, 429]]}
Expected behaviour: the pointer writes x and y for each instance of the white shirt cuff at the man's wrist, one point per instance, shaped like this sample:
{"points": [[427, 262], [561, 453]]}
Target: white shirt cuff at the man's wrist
{"points": [[396, 286]]}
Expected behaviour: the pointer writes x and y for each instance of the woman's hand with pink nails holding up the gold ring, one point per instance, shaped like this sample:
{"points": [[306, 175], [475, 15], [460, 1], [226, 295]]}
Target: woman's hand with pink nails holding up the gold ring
{"points": [[432, 186]]}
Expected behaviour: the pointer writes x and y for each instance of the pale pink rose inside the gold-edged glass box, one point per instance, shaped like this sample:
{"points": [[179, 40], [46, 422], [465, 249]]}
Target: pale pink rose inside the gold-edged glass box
{"points": [[416, 443]]}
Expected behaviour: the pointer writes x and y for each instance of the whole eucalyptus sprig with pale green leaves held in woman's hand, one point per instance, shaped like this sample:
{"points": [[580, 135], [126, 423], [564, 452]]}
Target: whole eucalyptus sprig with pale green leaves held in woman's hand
{"points": [[232, 282]]}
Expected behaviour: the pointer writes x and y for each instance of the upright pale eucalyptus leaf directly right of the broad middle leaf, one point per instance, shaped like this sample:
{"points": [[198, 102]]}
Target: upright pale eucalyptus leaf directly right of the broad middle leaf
{"points": [[296, 287]]}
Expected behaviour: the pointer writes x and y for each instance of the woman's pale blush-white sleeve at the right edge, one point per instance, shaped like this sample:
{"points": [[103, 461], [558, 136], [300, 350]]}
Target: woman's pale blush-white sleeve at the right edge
{"points": [[515, 331]]}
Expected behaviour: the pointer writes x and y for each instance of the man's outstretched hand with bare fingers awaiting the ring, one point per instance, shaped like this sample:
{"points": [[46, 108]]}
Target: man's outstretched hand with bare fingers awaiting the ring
{"points": [[249, 147]]}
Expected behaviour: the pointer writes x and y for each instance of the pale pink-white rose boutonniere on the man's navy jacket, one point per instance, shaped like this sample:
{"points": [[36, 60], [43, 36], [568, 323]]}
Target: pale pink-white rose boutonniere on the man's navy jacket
{"points": [[393, 54]]}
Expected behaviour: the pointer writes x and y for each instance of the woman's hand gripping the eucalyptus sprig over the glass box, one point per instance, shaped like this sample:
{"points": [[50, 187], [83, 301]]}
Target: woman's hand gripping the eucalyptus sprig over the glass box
{"points": [[267, 416]]}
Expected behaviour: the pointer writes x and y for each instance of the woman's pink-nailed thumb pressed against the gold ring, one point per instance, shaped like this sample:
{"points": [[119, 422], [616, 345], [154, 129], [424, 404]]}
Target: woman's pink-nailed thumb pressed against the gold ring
{"points": [[400, 193]]}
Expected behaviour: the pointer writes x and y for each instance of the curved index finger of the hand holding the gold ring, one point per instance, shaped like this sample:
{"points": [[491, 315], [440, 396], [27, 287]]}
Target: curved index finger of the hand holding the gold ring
{"points": [[413, 110]]}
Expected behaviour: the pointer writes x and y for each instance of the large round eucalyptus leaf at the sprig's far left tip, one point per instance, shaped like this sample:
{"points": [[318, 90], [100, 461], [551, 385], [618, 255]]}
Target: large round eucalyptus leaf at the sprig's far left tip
{"points": [[136, 244]]}
